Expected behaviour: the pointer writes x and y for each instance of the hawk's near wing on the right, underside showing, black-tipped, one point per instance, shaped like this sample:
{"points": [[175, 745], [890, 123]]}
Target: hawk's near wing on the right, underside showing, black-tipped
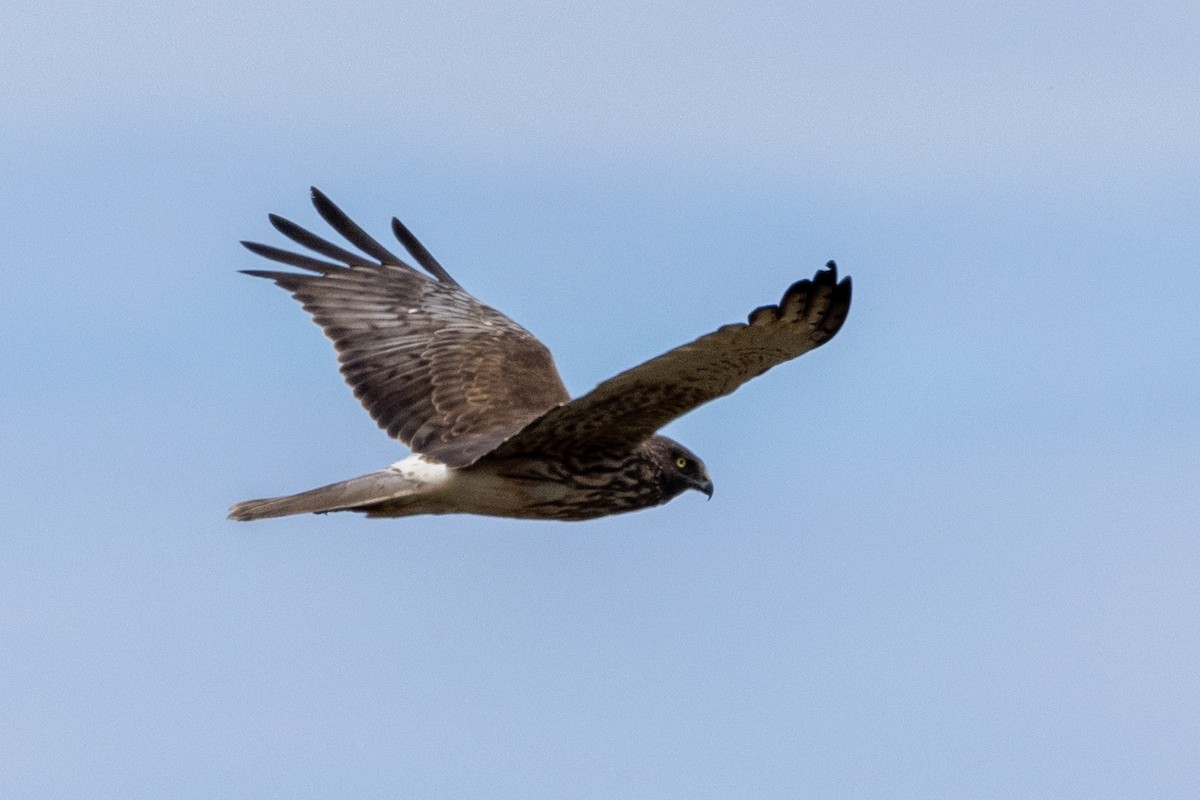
{"points": [[631, 407]]}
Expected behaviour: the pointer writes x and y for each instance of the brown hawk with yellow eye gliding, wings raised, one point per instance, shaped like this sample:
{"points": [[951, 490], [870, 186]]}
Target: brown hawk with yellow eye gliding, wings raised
{"points": [[479, 402]]}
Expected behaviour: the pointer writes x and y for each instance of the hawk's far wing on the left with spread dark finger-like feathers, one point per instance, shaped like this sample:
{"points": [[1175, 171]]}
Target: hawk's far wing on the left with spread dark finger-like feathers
{"points": [[439, 370]]}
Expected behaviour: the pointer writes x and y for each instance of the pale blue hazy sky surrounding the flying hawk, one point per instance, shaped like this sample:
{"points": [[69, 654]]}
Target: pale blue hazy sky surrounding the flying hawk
{"points": [[952, 555]]}
